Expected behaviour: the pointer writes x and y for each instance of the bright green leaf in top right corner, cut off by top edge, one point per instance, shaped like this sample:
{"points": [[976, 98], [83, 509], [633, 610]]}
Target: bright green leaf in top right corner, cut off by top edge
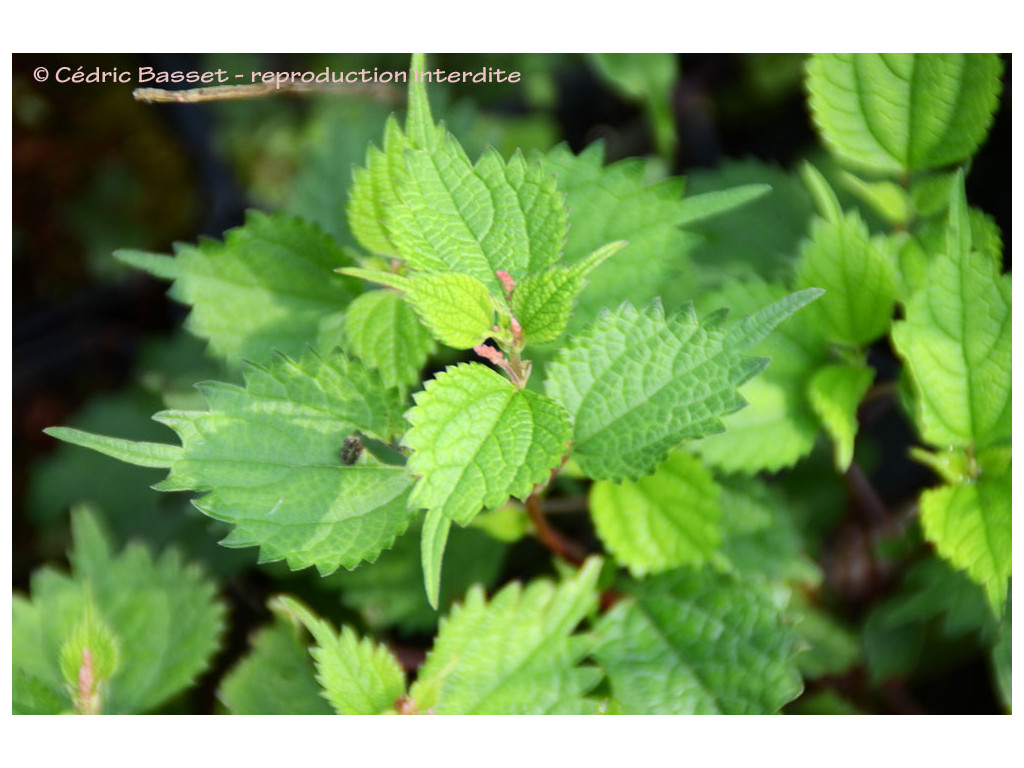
{"points": [[898, 113]]}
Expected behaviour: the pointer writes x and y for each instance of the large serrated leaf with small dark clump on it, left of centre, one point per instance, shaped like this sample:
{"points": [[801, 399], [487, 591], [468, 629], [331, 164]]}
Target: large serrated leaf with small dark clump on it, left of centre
{"points": [[268, 458]]}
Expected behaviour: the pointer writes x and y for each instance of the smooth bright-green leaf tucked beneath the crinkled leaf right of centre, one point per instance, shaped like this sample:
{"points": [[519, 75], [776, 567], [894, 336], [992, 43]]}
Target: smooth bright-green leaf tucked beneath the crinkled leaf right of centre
{"points": [[662, 522]]}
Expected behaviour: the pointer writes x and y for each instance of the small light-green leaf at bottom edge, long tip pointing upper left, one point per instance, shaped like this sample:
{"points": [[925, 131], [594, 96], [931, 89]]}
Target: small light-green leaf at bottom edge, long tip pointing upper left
{"points": [[359, 677]]}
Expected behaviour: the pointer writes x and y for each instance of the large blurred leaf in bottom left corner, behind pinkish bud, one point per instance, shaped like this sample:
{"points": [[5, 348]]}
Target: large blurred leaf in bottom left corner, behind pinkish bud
{"points": [[161, 615]]}
